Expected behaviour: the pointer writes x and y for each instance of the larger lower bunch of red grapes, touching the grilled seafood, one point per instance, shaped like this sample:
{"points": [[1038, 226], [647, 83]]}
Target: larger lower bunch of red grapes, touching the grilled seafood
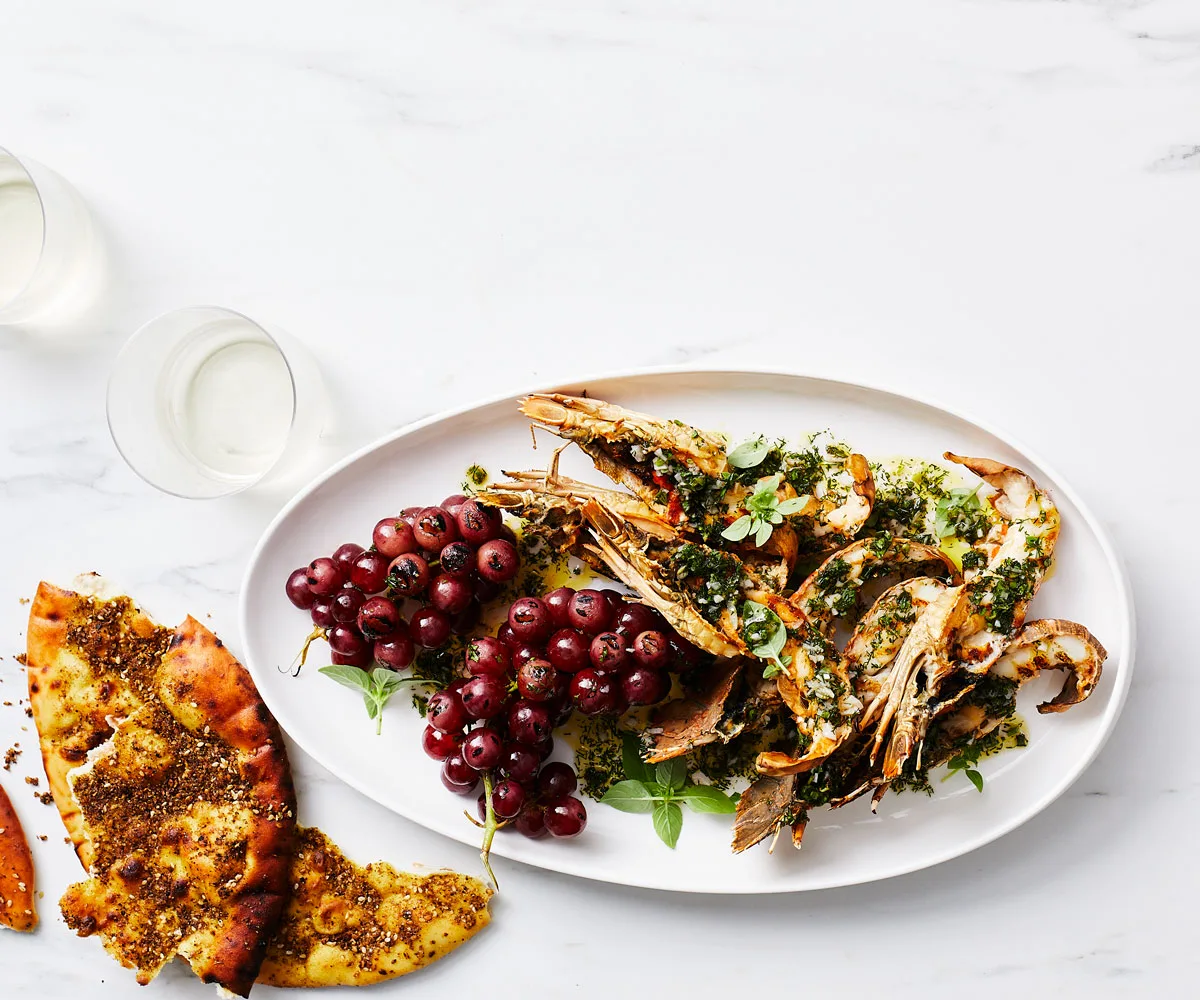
{"points": [[587, 651]]}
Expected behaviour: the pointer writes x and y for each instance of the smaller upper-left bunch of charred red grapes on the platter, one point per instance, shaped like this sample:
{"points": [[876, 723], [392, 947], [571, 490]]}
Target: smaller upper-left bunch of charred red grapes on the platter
{"points": [[449, 559]]}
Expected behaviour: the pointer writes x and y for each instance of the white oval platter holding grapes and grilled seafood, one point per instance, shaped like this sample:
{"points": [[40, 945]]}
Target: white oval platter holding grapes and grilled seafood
{"points": [[425, 462]]}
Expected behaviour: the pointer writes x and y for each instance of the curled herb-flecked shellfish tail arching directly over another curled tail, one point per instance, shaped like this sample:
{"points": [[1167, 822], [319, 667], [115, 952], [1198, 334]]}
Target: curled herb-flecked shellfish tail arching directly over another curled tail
{"points": [[832, 590]]}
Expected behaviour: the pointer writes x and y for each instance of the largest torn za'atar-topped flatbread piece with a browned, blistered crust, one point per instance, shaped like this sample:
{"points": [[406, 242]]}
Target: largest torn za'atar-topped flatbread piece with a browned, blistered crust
{"points": [[185, 817]]}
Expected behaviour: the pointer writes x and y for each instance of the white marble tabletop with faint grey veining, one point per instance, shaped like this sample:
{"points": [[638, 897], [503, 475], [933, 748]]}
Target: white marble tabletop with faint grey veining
{"points": [[992, 203]]}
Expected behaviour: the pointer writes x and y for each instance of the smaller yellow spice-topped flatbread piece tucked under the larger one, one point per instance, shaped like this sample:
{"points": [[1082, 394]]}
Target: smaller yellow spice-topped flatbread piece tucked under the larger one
{"points": [[350, 926]]}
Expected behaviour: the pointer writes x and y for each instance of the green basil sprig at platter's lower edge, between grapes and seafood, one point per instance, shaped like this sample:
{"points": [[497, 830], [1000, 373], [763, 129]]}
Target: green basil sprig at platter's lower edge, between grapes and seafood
{"points": [[661, 791]]}
